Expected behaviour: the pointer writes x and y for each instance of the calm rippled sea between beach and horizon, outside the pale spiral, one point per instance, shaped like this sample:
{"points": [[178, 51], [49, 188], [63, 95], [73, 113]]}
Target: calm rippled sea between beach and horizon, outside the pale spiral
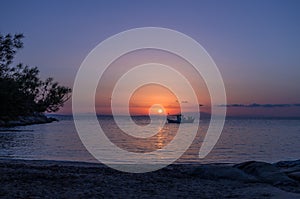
{"points": [[241, 140]]}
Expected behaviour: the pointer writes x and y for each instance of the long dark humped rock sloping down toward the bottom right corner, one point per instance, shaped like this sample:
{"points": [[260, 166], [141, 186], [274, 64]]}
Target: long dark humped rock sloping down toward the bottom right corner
{"points": [[266, 172]]}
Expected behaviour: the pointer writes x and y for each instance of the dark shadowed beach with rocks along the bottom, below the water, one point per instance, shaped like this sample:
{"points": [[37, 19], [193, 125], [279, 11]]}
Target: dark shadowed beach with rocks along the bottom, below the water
{"points": [[52, 179]]}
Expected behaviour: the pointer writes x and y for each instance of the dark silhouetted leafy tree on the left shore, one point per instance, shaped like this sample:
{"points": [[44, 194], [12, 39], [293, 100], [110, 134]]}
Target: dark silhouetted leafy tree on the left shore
{"points": [[22, 92]]}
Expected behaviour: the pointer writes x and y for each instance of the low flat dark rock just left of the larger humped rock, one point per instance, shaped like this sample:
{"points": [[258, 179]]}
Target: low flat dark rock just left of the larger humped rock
{"points": [[214, 172]]}
